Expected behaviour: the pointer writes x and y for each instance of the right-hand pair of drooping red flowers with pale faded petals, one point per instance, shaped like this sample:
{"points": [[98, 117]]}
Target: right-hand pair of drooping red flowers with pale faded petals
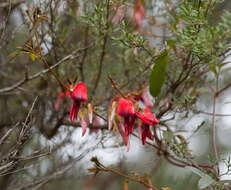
{"points": [[125, 118]]}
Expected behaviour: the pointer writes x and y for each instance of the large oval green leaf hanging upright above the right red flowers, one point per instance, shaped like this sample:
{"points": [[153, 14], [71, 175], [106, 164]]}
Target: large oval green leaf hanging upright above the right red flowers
{"points": [[158, 74]]}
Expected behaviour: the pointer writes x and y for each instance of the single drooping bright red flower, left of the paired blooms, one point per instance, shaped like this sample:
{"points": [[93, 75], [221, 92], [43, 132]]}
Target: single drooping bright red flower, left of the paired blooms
{"points": [[79, 95]]}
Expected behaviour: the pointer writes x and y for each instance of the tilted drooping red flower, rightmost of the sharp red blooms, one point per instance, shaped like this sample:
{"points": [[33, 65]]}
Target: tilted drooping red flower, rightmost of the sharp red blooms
{"points": [[148, 119]]}
